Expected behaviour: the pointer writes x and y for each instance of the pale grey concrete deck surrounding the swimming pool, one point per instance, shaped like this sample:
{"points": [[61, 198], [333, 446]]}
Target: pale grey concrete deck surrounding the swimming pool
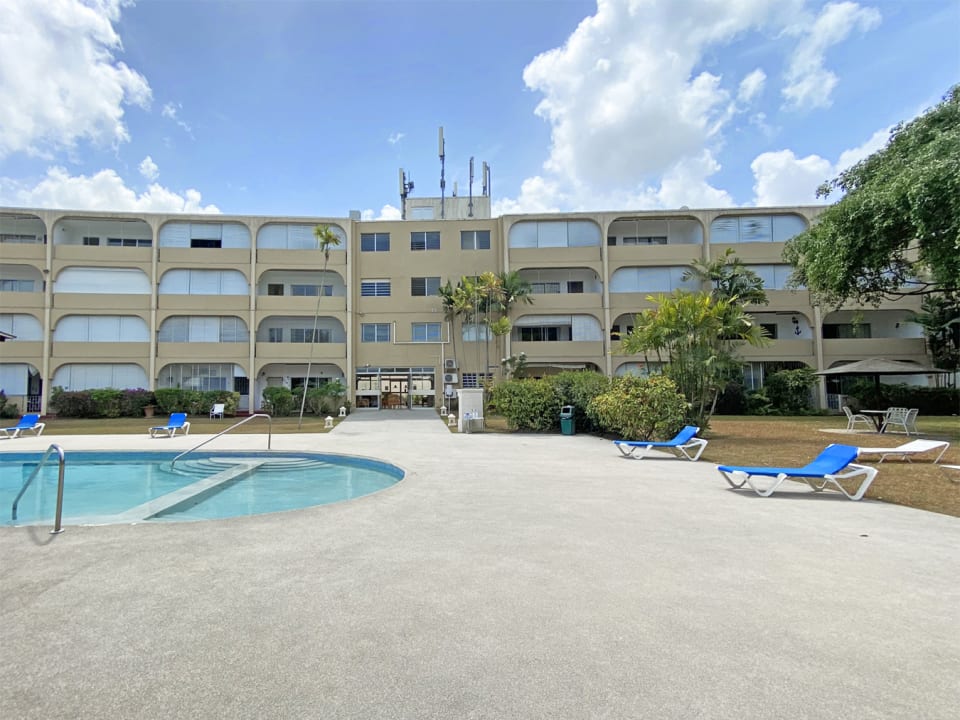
{"points": [[507, 576]]}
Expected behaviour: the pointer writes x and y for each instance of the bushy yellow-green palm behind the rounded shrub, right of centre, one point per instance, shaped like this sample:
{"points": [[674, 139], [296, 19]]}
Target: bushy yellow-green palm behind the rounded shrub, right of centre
{"points": [[696, 335]]}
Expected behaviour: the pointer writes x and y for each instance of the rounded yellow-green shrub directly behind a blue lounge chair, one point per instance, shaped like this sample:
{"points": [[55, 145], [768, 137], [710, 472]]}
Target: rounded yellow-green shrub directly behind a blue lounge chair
{"points": [[640, 408]]}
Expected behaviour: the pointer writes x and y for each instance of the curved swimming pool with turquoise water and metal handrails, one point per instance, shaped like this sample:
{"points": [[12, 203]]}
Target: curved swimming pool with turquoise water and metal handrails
{"points": [[103, 488]]}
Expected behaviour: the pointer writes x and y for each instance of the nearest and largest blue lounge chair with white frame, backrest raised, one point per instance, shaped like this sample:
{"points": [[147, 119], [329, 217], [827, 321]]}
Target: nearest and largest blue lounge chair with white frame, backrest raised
{"points": [[825, 469]]}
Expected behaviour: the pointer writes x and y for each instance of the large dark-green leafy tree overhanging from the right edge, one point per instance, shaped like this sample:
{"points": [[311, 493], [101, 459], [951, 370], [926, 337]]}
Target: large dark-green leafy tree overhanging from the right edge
{"points": [[896, 230]]}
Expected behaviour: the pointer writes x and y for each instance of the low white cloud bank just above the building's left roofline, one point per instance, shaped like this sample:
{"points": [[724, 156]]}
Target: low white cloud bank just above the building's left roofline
{"points": [[104, 190]]}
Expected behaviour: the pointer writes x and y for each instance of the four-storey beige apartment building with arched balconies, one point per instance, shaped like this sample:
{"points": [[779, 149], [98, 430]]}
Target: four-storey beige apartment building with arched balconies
{"points": [[125, 300]]}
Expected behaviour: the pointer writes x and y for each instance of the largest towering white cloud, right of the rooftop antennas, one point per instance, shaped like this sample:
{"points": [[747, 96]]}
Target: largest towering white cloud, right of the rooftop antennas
{"points": [[630, 108]]}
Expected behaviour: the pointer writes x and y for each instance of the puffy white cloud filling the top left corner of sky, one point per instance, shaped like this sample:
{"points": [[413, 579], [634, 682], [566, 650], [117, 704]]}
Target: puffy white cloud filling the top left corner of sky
{"points": [[72, 88]]}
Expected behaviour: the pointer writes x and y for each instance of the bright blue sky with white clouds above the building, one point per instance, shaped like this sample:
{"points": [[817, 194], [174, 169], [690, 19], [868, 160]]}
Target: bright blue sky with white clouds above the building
{"points": [[309, 108]]}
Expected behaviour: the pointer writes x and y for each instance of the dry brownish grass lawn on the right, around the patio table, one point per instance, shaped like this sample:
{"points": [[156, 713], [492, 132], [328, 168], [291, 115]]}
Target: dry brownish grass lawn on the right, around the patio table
{"points": [[794, 441]]}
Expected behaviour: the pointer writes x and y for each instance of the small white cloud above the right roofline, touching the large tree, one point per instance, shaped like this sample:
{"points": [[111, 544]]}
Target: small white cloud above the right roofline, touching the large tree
{"points": [[781, 178]]}
